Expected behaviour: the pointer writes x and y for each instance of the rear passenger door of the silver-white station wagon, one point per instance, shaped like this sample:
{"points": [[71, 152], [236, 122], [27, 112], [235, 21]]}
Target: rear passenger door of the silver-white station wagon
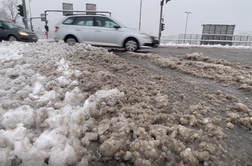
{"points": [[84, 31]]}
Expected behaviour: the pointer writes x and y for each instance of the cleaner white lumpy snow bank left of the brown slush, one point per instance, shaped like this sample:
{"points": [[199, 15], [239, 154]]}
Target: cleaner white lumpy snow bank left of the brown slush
{"points": [[40, 117]]}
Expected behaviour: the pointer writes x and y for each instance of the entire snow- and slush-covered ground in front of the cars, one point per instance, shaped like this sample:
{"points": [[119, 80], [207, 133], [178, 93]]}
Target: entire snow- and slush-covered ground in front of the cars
{"points": [[85, 106]]}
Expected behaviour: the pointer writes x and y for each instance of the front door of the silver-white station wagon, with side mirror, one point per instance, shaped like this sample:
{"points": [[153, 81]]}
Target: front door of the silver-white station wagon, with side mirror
{"points": [[106, 33]]}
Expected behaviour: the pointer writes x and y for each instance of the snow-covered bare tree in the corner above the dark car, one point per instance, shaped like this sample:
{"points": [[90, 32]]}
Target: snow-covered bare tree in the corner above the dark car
{"points": [[11, 7]]}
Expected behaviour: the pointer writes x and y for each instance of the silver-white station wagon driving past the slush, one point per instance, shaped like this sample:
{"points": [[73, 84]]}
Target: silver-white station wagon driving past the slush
{"points": [[100, 30]]}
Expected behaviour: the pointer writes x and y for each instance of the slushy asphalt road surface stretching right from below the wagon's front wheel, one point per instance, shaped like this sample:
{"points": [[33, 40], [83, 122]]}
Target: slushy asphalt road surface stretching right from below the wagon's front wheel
{"points": [[216, 77]]}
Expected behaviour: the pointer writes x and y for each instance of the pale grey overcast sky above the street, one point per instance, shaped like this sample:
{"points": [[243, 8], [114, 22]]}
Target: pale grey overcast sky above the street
{"points": [[236, 12]]}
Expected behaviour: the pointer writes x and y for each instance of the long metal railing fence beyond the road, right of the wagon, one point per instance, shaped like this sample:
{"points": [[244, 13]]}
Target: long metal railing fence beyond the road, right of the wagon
{"points": [[210, 39]]}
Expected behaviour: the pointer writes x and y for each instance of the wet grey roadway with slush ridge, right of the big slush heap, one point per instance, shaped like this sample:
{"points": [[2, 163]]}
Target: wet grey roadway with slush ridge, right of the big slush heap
{"points": [[199, 87]]}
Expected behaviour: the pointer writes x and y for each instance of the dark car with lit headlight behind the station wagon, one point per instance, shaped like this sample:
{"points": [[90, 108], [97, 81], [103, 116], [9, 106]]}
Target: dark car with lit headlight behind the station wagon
{"points": [[12, 32]]}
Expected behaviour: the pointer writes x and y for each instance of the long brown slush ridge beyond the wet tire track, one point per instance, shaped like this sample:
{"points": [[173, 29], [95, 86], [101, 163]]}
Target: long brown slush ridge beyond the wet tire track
{"points": [[202, 66]]}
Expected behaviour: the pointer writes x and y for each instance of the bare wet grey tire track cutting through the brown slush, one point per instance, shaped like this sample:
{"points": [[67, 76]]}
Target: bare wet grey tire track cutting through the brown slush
{"points": [[237, 140]]}
